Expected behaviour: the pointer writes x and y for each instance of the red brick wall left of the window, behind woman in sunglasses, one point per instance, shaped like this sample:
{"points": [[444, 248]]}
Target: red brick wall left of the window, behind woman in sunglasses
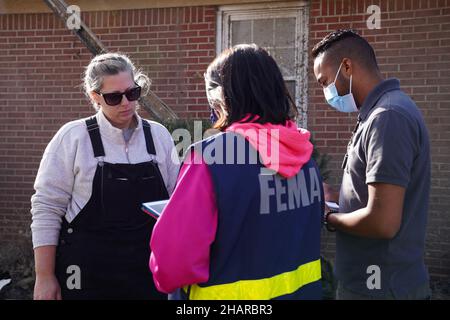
{"points": [[41, 63]]}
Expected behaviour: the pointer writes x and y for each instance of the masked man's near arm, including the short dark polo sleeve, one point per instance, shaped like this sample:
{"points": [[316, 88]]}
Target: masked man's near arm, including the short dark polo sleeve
{"points": [[390, 148]]}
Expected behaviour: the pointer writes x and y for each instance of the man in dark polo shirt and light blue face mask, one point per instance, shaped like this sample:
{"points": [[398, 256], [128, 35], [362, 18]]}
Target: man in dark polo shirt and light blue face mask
{"points": [[386, 176]]}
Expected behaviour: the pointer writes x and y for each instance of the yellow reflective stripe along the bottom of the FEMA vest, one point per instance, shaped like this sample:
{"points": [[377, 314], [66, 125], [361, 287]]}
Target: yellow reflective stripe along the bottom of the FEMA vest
{"points": [[261, 289]]}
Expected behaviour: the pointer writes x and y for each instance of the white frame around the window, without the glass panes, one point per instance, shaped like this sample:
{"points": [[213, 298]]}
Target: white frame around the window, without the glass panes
{"points": [[297, 9]]}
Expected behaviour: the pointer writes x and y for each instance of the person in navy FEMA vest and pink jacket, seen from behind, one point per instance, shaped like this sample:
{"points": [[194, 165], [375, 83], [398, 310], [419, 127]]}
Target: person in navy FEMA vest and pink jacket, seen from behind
{"points": [[245, 216]]}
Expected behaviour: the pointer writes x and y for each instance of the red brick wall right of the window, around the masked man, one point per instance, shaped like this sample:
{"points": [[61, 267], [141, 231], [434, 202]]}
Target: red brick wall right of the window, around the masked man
{"points": [[413, 45]]}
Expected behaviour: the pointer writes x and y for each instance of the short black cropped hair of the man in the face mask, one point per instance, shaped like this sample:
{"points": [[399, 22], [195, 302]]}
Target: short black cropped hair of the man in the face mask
{"points": [[347, 43]]}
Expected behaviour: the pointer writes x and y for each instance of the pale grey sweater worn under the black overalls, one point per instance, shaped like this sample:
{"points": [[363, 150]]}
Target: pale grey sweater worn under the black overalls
{"points": [[64, 181]]}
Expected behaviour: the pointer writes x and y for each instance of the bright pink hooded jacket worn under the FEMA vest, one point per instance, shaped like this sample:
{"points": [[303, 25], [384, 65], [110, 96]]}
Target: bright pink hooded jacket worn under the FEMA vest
{"points": [[183, 234]]}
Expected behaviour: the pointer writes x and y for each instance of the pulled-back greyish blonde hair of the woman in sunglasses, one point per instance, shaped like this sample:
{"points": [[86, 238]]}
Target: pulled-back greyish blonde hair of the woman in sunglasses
{"points": [[108, 64]]}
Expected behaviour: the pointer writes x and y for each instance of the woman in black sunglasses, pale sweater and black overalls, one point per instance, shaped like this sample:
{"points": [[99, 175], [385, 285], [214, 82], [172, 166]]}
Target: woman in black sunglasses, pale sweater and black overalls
{"points": [[90, 236]]}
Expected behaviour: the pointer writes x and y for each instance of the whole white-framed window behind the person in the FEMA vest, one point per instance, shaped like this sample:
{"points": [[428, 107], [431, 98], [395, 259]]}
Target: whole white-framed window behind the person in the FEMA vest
{"points": [[281, 28]]}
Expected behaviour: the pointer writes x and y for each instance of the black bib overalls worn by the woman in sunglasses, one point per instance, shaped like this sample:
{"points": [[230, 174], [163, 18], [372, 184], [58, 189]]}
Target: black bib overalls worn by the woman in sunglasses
{"points": [[109, 238]]}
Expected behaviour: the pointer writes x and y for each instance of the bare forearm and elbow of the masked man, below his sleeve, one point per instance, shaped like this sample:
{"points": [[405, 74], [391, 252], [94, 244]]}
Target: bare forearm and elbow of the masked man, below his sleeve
{"points": [[381, 218]]}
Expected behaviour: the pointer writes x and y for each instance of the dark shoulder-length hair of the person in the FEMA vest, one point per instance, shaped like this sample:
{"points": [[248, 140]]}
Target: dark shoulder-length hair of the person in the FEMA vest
{"points": [[252, 84]]}
